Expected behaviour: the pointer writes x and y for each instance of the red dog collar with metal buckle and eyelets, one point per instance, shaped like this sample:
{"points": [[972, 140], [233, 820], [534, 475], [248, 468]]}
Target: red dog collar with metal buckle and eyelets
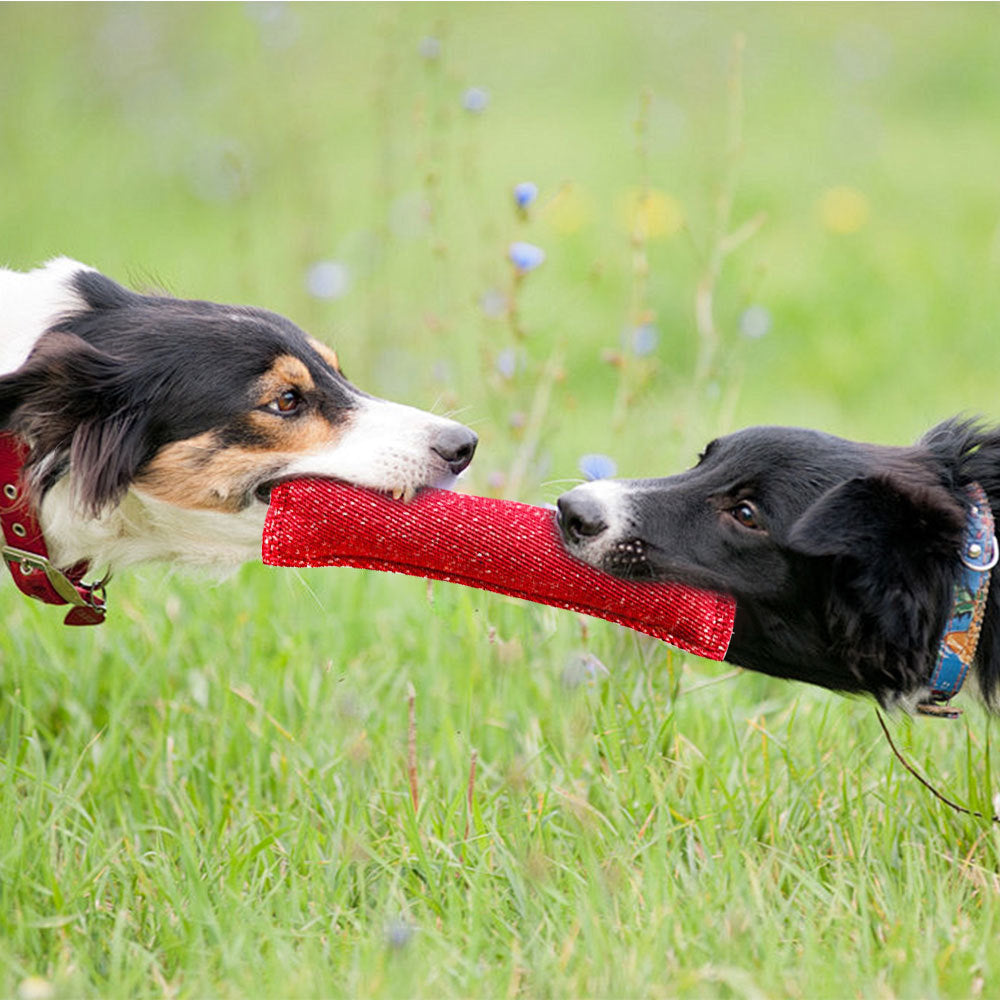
{"points": [[25, 553]]}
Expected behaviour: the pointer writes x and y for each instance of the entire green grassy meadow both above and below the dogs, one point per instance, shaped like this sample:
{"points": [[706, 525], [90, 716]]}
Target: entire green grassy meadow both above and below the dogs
{"points": [[749, 213]]}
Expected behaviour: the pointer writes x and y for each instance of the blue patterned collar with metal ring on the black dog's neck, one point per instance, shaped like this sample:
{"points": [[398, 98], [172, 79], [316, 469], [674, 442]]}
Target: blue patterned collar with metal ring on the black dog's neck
{"points": [[957, 648]]}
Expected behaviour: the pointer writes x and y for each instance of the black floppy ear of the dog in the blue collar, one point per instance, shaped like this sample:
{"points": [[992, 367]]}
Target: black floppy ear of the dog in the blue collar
{"points": [[891, 540]]}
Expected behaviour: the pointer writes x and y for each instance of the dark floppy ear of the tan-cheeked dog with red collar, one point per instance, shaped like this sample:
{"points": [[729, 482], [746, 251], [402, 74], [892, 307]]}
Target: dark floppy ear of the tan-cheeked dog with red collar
{"points": [[73, 404]]}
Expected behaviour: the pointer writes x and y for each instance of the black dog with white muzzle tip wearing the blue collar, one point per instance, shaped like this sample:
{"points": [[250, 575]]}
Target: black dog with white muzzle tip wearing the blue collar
{"points": [[846, 560]]}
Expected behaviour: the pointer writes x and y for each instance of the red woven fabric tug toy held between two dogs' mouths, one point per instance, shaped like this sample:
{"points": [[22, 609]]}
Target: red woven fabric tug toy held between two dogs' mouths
{"points": [[499, 545]]}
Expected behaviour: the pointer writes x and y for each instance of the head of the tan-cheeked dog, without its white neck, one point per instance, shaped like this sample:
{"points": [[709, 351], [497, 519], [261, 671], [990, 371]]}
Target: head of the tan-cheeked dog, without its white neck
{"points": [[202, 407]]}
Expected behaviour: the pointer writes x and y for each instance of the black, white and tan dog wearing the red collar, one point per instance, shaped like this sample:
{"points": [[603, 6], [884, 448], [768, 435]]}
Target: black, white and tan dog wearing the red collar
{"points": [[156, 425]]}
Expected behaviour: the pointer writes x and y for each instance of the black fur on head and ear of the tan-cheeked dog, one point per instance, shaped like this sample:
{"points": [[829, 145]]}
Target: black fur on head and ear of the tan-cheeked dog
{"points": [[109, 386]]}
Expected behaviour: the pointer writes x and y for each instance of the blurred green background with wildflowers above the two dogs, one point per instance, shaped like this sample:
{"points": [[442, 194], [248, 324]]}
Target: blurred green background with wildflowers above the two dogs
{"points": [[743, 213]]}
